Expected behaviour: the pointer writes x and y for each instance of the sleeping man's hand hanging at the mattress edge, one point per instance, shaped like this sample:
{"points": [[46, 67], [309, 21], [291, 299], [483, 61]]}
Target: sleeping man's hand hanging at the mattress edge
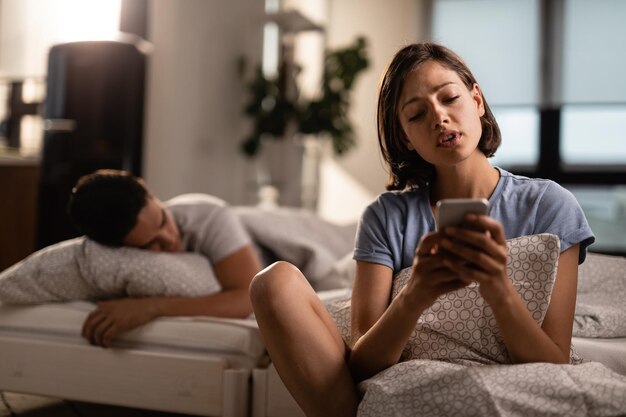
{"points": [[113, 317]]}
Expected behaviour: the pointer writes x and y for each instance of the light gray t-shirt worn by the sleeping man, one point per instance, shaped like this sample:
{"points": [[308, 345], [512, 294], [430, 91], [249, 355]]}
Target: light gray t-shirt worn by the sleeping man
{"points": [[208, 226]]}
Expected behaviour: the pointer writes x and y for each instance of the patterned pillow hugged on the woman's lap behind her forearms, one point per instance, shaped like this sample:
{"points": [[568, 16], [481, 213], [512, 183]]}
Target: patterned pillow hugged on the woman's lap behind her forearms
{"points": [[460, 325]]}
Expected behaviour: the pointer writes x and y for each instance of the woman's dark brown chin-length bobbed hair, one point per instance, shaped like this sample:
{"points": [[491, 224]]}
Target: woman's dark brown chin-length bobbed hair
{"points": [[407, 168]]}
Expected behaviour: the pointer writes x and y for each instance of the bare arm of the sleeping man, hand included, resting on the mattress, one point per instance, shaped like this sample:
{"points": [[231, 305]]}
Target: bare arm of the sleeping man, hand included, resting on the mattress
{"points": [[234, 273]]}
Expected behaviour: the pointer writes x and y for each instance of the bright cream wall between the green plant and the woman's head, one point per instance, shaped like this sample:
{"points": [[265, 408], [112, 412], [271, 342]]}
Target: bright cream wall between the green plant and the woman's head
{"points": [[353, 181]]}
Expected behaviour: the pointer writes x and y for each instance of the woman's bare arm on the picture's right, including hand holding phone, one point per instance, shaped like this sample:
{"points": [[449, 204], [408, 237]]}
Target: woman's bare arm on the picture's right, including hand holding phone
{"points": [[525, 340]]}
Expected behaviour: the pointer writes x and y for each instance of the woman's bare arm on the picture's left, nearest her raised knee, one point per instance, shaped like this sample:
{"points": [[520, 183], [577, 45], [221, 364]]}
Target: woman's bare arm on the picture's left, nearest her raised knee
{"points": [[381, 329]]}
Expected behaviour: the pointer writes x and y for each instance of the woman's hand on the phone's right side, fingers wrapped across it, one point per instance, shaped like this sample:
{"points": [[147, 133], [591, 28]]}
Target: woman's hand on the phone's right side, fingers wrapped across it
{"points": [[479, 255]]}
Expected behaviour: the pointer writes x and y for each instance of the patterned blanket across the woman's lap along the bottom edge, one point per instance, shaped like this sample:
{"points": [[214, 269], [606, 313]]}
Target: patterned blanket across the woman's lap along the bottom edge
{"points": [[436, 388]]}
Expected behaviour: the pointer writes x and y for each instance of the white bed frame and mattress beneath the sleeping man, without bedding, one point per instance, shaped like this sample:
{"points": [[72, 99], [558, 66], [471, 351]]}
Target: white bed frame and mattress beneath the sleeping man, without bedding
{"points": [[206, 367]]}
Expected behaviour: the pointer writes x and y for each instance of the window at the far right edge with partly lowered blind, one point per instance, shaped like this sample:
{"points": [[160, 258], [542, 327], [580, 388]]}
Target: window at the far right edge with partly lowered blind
{"points": [[593, 117]]}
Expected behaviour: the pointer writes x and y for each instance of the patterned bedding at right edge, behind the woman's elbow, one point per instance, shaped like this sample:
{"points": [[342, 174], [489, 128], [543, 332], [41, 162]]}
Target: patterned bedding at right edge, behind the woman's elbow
{"points": [[600, 307]]}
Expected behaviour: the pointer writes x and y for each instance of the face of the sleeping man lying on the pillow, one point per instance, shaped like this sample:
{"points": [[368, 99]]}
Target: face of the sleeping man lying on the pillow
{"points": [[155, 230]]}
